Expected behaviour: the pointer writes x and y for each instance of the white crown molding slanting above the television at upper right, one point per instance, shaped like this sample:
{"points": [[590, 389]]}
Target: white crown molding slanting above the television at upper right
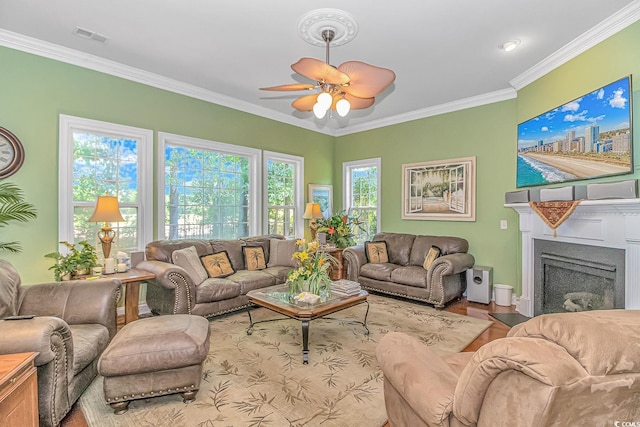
{"points": [[610, 26]]}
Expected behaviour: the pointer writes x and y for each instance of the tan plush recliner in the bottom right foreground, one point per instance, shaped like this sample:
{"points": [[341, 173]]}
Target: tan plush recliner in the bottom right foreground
{"points": [[569, 369]]}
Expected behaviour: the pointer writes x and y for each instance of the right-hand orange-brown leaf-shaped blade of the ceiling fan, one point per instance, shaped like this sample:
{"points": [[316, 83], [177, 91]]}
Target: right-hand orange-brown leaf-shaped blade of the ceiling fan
{"points": [[366, 81]]}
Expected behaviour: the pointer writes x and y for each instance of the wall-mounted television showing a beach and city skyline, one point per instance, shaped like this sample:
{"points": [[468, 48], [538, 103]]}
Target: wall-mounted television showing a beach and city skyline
{"points": [[586, 138]]}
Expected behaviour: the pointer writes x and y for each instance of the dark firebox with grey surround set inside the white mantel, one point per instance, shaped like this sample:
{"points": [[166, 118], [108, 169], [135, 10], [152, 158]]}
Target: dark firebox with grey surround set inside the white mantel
{"points": [[571, 277]]}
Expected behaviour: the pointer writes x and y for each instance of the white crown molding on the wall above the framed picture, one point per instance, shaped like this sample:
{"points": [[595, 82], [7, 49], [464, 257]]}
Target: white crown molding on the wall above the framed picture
{"points": [[449, 107]]}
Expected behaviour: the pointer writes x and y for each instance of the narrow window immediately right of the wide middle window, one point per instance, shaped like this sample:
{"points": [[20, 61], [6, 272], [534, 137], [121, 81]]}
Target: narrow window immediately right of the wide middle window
{"points": [[284, 194]]}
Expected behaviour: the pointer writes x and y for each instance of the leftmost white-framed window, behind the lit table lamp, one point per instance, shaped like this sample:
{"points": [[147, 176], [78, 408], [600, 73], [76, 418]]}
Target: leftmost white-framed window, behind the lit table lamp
{"points": [[98, 158]]}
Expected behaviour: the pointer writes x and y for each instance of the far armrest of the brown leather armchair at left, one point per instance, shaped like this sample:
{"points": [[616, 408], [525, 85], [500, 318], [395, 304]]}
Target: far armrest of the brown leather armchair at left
{"points": [[75, 301]]}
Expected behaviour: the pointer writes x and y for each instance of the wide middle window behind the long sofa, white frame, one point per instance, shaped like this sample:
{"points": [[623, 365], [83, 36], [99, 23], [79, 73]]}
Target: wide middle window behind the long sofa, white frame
{"points": [[207, 189]]}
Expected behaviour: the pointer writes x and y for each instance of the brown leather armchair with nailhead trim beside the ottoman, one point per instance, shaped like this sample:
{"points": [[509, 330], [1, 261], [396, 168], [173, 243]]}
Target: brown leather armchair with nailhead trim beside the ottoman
{"points": [[74, 323]]}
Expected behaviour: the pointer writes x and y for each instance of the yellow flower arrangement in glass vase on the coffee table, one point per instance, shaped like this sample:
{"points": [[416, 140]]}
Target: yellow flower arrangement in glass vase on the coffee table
{"points": [[312, 273]]}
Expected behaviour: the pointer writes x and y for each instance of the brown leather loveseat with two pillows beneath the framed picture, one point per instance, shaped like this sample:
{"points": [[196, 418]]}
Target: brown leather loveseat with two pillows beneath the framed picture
{"points": [[404, 274]]}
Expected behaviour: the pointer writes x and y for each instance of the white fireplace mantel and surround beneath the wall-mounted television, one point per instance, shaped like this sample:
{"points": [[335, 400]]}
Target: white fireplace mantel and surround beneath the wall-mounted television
{"points": [[595, 224]]}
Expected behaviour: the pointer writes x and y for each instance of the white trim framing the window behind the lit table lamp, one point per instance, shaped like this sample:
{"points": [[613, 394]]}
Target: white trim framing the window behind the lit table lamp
{"points": [[68, 124]]}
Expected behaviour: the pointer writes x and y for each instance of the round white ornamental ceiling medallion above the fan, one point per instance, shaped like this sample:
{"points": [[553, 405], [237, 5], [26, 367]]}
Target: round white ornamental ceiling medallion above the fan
{"points": [[313, 24]]}
